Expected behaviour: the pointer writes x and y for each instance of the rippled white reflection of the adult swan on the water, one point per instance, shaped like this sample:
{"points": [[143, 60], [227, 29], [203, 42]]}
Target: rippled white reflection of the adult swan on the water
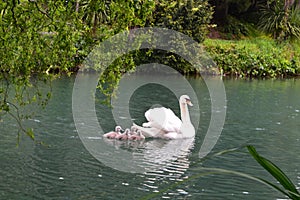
{"points": [[162, 160]]}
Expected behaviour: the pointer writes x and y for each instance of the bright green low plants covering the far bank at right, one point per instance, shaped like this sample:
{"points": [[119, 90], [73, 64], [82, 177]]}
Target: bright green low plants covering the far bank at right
{"points": [[255, 57]]}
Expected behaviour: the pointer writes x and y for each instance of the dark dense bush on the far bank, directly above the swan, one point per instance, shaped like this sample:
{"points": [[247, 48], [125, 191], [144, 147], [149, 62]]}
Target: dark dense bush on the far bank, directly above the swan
{"points": [[191, 18]]}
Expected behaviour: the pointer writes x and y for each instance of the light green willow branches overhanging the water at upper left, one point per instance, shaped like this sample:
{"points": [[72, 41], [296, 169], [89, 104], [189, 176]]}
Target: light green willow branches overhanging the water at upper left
{"points": [[41, 40]]}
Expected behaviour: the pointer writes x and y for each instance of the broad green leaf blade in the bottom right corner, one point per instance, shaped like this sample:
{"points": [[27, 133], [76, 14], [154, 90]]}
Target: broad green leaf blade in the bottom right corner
{"points": [[276, 172]]}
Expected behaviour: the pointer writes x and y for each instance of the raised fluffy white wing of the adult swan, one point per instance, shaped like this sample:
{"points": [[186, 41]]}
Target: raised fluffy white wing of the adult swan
{"points": [[163, 118]]}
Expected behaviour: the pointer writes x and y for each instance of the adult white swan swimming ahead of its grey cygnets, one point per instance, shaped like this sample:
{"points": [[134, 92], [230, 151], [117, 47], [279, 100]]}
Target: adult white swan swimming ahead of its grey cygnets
{"points": [[163, 123]]}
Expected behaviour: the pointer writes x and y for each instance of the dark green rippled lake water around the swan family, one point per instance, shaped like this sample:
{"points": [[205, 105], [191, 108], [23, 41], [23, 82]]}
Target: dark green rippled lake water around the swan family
{"points": [[264, 113]]}
